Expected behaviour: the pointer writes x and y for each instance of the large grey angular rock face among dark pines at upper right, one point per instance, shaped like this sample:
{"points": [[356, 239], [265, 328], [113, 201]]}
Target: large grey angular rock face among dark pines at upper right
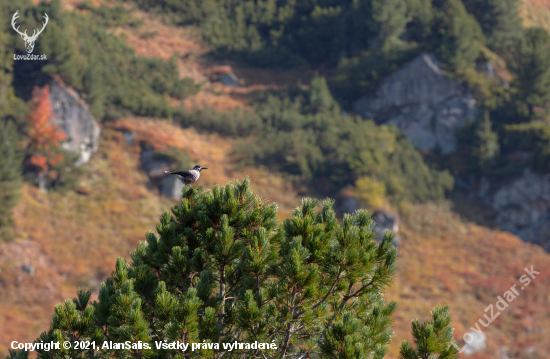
{"points": [[423, 103]]}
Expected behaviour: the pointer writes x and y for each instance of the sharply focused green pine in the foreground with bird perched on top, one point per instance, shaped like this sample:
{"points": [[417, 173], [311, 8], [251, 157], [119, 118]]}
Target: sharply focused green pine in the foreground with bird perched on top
{"points": [[223, 269]]}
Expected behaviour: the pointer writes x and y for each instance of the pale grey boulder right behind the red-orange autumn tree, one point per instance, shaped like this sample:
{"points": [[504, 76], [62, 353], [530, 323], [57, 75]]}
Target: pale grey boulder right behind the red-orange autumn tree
{"points": [[75, 120]]}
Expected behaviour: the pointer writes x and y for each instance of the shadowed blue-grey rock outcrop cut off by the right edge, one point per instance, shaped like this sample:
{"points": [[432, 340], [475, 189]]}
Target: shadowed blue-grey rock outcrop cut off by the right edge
{"points": [[522, 206]]}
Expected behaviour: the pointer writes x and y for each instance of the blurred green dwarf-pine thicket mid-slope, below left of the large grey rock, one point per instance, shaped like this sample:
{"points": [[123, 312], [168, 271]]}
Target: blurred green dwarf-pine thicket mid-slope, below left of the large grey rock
{"points": [[308, 137]]}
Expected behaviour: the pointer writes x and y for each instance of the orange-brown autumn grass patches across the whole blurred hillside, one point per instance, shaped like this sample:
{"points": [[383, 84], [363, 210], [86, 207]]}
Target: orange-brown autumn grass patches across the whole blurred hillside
{"points": [[72, 240]]}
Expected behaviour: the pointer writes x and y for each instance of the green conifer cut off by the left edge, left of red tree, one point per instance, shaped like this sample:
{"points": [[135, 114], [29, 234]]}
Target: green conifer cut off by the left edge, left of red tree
{"points": [[10, 175]]}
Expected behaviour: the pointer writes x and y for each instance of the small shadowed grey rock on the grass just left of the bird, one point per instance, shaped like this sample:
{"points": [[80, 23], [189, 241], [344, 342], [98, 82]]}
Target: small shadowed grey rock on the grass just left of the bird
{"points": [[155, 165]]}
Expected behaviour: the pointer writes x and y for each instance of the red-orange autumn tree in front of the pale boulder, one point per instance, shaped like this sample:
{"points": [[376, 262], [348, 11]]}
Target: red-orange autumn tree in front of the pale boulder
{"points": [[42, 132]]}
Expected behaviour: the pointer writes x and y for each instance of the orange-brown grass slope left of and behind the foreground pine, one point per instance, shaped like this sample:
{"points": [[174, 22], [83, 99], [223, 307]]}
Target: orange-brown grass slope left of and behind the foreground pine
{"points": [[72, 240]]}
